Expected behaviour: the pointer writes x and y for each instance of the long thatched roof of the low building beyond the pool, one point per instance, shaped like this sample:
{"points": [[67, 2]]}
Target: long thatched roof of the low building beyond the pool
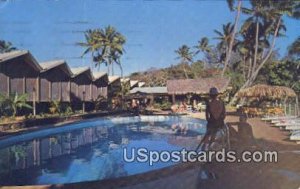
{"points": [[197, 86]]}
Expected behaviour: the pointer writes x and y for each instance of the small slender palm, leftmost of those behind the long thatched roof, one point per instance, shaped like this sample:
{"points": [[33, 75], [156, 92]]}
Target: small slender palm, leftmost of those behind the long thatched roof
{"points": [[185, 56]]}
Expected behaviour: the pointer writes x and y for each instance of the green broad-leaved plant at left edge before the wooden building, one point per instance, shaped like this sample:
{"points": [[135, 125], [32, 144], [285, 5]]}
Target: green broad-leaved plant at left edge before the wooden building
{"points": [[9, 105]]}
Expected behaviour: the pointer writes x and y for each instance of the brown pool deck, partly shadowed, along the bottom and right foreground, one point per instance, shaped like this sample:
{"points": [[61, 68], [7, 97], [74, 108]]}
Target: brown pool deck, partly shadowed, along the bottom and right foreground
{"points": [[257, 135]]}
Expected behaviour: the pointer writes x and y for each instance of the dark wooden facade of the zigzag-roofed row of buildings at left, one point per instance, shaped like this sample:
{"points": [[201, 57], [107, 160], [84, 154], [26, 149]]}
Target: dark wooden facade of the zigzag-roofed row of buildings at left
{"points": [[18, 76]]}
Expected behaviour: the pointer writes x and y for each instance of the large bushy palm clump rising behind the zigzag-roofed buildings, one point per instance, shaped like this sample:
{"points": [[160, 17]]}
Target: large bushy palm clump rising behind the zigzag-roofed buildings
{"points": [[106, 46]]}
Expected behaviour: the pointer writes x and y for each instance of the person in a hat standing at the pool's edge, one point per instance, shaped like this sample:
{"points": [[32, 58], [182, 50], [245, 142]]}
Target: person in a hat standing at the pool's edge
{"points": [[215, 116]]}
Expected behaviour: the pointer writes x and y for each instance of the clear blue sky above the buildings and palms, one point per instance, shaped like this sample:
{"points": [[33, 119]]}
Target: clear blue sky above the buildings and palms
{"points": [[153, 29]]}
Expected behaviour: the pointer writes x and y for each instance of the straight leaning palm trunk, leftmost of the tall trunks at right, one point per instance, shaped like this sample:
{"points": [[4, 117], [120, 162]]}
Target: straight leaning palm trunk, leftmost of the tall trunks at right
{"points": [[228, 53]]}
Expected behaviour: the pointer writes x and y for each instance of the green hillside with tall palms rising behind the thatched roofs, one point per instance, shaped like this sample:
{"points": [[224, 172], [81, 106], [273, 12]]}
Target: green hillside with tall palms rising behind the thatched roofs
{"points": [[245, 51]]}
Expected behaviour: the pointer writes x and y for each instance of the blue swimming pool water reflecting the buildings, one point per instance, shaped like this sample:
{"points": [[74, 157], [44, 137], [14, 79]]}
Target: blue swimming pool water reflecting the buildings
{"points": [[92, 149]]}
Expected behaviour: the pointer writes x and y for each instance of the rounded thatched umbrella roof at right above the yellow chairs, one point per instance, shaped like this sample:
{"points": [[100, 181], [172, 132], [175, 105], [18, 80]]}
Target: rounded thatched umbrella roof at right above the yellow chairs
{"points": [[267, 91]]}
